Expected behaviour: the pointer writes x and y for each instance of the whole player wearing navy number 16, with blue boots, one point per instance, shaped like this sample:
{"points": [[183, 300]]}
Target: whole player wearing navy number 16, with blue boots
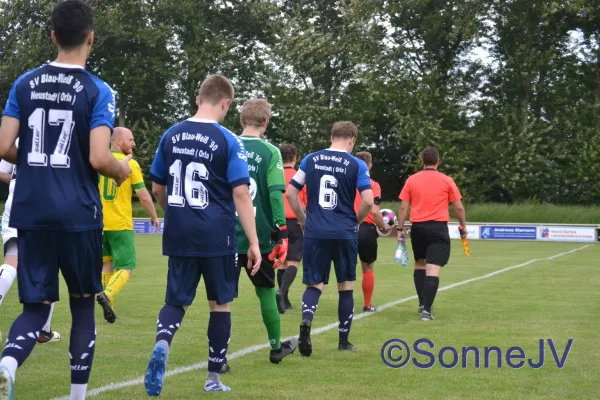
{"points": [[200, 178]]}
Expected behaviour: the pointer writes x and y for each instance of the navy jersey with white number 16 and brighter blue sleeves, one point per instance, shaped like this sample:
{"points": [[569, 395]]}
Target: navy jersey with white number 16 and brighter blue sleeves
{"points": [[200, 162]]}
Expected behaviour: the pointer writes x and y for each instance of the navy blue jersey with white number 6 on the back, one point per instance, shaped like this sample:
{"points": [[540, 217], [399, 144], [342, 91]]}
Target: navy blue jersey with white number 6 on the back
{"points": [[332, 178]]}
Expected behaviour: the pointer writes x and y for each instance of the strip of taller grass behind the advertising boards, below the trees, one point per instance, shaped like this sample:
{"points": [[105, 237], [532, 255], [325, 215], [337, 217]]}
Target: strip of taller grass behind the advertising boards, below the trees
{"points": [[525, 213]]}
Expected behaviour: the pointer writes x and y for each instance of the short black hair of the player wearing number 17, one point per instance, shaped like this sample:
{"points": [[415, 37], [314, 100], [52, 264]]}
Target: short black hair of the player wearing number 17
{"points": [[72, 22]]}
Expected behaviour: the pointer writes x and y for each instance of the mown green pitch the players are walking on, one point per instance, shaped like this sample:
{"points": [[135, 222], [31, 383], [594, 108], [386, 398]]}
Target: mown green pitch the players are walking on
{"points": [[545, 299]]}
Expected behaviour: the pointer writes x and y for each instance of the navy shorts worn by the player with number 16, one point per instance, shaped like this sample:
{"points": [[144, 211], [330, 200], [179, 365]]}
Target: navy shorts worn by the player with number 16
{"points": [[220, 279]]}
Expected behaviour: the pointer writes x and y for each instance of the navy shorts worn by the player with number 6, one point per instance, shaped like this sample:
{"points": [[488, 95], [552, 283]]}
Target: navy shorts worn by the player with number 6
{"points": [[320, 253]]}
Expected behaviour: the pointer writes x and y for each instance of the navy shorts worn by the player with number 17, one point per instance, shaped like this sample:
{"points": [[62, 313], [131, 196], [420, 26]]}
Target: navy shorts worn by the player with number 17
{"points": [[42, 254]]}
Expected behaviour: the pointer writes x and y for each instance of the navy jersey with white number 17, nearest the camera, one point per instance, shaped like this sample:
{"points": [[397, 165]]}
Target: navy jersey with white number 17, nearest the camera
{"points": [[57, 106]]}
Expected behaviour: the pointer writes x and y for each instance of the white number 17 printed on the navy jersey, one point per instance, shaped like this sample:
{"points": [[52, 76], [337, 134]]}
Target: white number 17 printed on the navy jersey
{"points": [[37, 122]]}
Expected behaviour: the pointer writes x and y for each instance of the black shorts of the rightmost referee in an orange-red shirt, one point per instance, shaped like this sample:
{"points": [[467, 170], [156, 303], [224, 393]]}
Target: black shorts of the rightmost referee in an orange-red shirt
{"points": [[431, 241]]}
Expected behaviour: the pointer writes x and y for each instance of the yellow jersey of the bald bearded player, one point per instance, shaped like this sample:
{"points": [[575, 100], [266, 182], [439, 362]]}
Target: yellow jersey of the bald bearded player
{"points": [[116, 201]]}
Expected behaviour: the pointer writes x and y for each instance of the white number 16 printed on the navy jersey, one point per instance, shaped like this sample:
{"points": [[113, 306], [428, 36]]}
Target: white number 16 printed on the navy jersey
{"points": [[194, 190]]}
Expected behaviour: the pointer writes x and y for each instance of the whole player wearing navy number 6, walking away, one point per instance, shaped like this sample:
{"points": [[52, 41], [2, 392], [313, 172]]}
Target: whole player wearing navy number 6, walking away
{"points": [[332, 177]]}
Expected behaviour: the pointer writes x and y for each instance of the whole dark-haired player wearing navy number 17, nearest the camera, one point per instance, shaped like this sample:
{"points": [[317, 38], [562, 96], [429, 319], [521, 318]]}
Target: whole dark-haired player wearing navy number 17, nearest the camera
{"points": [[63, 117]]}
